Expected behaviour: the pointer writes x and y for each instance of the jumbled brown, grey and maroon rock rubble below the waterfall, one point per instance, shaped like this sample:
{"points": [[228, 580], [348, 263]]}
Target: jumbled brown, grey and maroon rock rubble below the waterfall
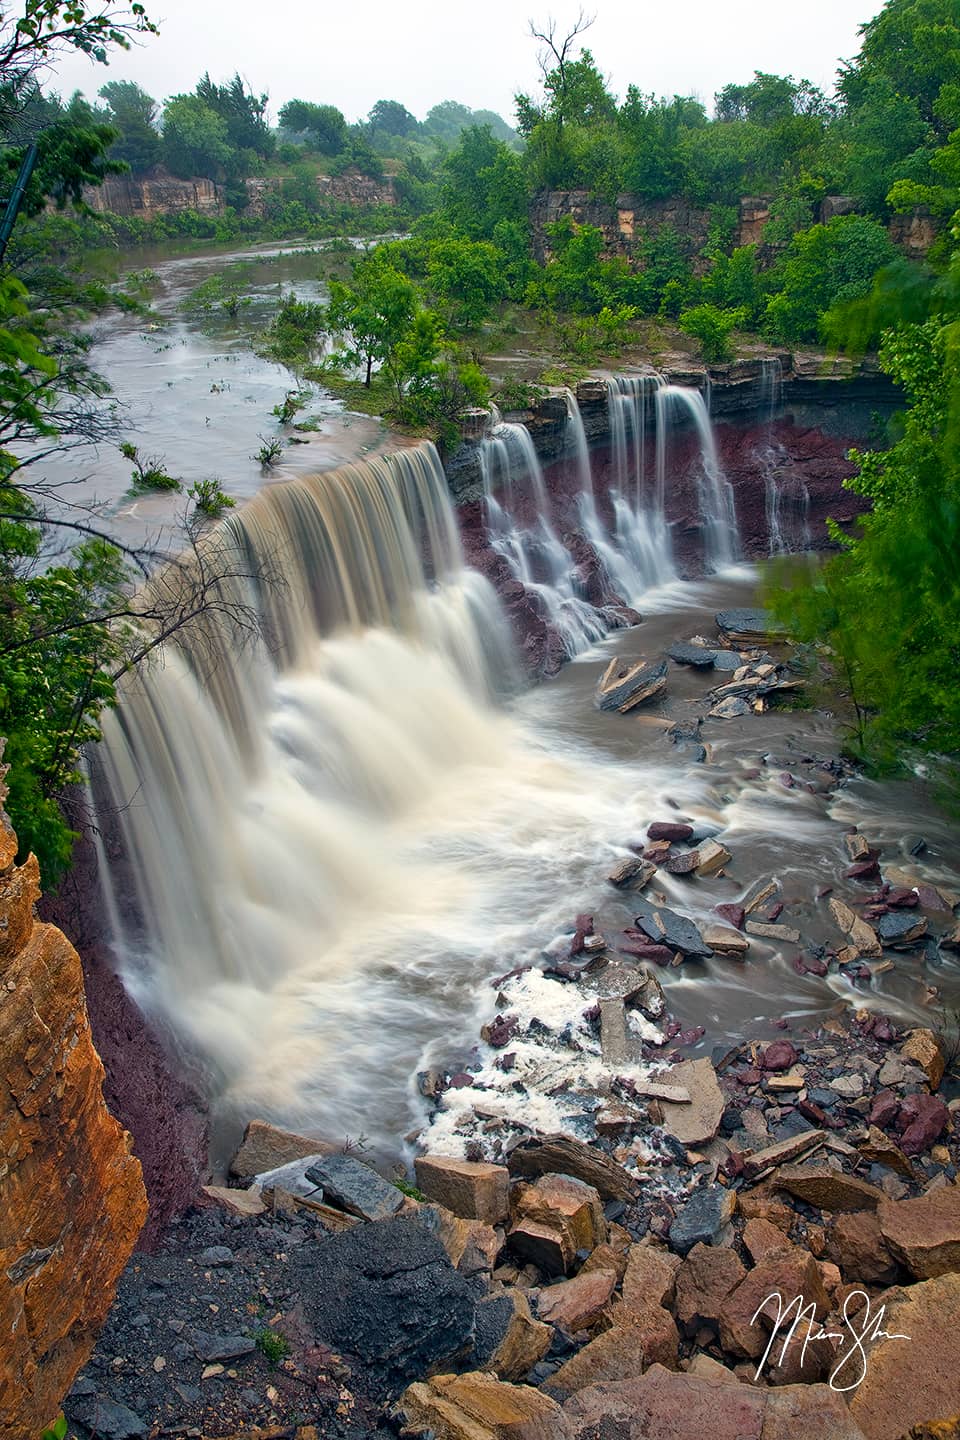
{"points": [[602, 1209]]}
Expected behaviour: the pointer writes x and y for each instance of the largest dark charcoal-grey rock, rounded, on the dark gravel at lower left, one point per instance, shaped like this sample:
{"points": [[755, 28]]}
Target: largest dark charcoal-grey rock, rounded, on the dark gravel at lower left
{"points": [[388, 1295]]}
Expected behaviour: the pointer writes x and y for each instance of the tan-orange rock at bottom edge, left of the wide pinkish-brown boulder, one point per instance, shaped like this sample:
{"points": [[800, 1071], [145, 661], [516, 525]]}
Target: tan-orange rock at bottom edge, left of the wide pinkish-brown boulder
{"points": [[480, 1408]]}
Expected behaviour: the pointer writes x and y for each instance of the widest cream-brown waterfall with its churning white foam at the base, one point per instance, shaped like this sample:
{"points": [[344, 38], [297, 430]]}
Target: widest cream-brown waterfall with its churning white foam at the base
{"points": [[332, 843]]}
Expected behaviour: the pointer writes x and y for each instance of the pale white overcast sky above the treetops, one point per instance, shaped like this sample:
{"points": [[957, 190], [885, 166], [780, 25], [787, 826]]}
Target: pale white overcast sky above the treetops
{"points": [[421, 53]]}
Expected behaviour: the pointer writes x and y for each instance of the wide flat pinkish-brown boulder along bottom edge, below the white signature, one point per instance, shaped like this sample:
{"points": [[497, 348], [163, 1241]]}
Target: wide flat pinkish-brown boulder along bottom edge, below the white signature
{"points": [[669, 1405]]}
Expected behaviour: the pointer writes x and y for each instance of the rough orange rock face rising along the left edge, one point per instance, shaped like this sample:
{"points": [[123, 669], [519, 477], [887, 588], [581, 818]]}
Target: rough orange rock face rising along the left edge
{"points": [[71, 1193]]}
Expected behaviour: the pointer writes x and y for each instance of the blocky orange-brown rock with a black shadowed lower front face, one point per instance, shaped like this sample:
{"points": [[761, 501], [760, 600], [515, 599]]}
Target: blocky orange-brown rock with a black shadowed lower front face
{"points": [[555, 1219]]}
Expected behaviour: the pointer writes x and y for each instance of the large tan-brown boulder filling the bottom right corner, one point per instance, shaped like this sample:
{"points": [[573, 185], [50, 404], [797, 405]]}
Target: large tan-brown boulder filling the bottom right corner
{"points": [[909, 1383]]}
